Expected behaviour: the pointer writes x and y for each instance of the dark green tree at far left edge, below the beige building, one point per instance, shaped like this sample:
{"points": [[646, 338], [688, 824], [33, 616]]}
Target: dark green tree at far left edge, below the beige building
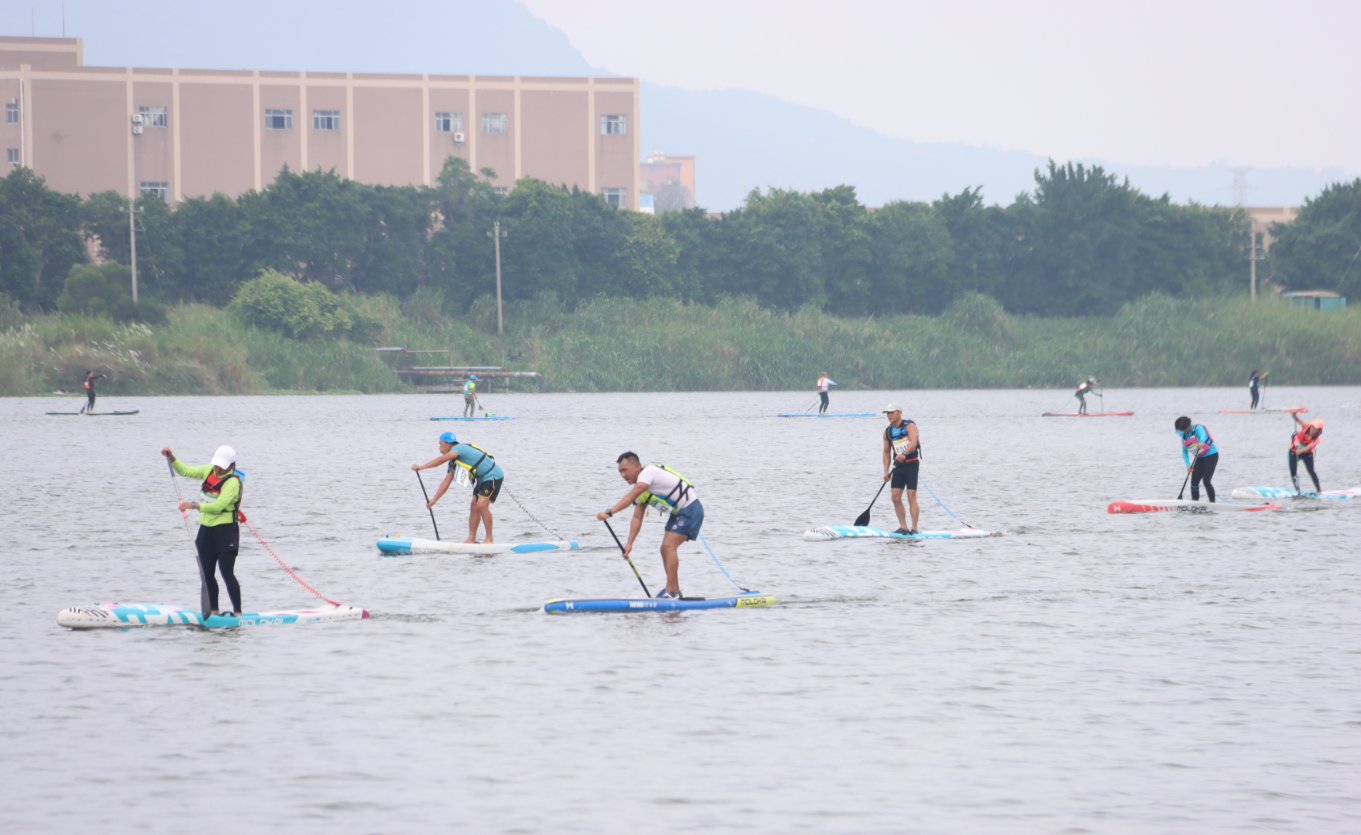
{"points": [[40, 239]]}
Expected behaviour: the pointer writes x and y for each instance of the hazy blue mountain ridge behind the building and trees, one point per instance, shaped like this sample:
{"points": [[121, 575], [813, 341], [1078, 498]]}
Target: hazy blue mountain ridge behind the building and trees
{"points": [[742, 139]]}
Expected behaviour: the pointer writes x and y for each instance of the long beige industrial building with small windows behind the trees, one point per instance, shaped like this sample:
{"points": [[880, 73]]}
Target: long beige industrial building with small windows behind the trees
{"points": [[193, 133]]}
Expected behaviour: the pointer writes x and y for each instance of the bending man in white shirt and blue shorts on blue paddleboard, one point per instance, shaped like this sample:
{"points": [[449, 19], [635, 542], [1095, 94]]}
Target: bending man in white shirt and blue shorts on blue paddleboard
{"points": [[672, 494]]}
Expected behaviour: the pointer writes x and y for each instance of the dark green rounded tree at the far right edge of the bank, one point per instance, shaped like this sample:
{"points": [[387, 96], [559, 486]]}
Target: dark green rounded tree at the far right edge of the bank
{"points": [[1319, 250]]}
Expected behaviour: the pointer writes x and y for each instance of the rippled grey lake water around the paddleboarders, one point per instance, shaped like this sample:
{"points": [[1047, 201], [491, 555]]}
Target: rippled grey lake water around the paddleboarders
{"points": [[1083, 672]]}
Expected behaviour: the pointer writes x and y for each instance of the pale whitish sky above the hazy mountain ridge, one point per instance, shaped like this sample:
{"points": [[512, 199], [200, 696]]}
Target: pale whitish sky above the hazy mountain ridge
{"points": [[1158, 82]]}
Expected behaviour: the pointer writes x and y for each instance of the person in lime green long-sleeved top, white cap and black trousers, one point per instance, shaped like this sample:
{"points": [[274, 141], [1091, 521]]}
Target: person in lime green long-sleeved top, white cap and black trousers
{"points": [[220, 535]]}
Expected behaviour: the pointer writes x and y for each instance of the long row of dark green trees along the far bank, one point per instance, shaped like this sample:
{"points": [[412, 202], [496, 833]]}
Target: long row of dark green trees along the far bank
{"points": [[1083, 243]]}
